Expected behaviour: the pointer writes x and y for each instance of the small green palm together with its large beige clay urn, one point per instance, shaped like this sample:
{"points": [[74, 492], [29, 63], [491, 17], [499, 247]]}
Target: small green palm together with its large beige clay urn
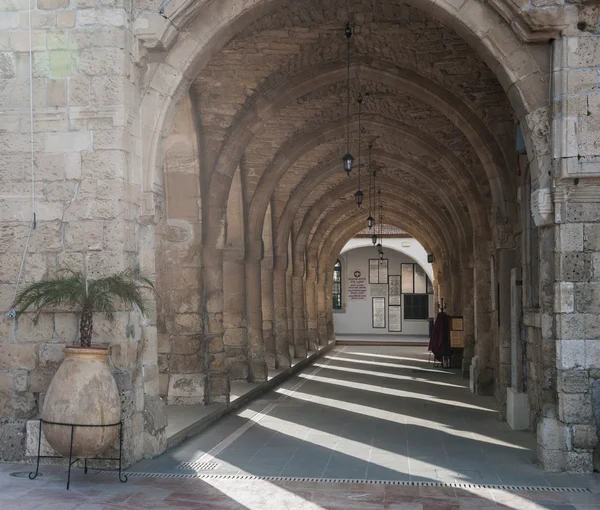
{"points": [[83, 391]]}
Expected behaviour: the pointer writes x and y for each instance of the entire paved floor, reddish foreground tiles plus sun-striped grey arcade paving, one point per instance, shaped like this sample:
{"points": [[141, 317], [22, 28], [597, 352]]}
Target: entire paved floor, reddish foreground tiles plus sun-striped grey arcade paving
{"points": [[367, 413]]}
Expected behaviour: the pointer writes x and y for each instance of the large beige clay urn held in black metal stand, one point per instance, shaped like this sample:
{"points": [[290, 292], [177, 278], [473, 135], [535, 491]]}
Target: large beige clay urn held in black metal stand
{"points": [[84, 392]]}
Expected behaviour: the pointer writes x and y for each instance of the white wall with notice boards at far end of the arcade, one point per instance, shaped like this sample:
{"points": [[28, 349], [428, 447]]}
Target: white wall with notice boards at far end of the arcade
{"points": [[355, 318]]}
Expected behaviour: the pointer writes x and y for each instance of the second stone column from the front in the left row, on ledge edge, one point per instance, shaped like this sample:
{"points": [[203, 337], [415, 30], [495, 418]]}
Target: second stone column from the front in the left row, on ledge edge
{"points": [[256, 347]]}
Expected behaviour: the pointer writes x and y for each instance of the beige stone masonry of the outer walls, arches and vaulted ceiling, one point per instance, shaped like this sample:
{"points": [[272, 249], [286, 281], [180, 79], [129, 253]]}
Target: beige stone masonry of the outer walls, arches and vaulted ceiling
{"points": [[170, 133]]}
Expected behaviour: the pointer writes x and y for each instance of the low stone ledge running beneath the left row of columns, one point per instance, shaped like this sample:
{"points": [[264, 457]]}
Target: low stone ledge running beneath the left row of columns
{"points": [[242, 393]]}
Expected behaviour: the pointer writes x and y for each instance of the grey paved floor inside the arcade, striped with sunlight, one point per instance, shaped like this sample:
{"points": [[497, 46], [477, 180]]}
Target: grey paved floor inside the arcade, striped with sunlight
{"points": [[375, 413]]}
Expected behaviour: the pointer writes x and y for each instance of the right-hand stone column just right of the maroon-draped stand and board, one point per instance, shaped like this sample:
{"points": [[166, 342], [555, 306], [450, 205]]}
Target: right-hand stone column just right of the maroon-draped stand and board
{"points": [[483, 372]]}
